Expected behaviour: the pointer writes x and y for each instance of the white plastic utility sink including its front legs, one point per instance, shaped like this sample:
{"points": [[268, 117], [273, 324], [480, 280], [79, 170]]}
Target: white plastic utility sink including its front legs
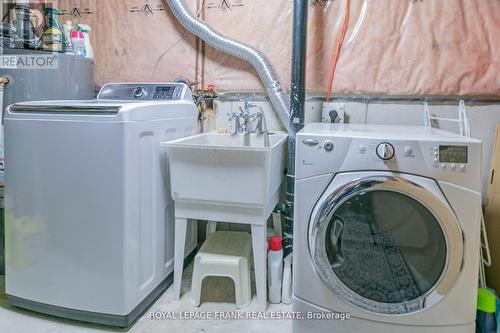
{"points": [[226, 178]]}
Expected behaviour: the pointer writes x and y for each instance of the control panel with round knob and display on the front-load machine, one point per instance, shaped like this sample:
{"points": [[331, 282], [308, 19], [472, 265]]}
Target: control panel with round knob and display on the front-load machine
{"points": [[438, 155]]}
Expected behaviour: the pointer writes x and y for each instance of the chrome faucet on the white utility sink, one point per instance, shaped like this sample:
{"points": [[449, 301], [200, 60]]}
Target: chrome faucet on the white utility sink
{"points": [[244, 128]]}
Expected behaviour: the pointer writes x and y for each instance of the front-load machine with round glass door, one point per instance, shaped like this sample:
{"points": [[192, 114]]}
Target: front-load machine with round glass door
{"points": [[387, 224]]}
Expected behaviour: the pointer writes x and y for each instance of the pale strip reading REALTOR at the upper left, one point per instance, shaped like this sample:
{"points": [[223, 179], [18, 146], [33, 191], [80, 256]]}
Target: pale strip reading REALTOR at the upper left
{"points": [[29, 61]]}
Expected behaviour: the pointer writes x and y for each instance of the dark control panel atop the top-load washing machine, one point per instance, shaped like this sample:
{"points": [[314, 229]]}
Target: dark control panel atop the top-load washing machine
{"points": [[142, 91]]}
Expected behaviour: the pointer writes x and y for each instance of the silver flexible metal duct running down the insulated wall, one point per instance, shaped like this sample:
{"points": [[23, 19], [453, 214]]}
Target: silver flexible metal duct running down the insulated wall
{"points": [[257, 59]]}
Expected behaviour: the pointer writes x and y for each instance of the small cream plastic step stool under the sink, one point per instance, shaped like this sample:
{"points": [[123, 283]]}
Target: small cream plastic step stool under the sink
{"points": [[227, 254]]}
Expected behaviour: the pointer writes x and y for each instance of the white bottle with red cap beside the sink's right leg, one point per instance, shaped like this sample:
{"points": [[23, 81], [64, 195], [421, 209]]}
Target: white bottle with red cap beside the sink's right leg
{"points": [[275, 269]]}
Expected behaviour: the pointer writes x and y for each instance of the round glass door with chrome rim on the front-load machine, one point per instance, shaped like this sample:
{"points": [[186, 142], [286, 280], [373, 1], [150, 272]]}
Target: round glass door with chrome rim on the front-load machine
{"points": [[388, 243]]}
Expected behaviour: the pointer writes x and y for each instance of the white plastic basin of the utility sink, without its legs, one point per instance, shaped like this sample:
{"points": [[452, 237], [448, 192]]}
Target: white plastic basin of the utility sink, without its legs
{"points": [[228, 170]]}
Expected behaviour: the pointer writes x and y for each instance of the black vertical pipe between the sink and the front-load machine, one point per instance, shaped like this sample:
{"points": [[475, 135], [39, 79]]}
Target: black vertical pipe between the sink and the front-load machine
{"points": [[297, 109]]}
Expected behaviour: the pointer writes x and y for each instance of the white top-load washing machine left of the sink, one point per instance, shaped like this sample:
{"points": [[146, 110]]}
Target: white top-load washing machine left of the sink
{"points": [[89, 215]]}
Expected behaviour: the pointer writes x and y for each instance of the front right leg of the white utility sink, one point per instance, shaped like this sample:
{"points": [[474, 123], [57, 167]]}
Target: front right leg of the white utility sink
{"points": [[260, 263]]}
